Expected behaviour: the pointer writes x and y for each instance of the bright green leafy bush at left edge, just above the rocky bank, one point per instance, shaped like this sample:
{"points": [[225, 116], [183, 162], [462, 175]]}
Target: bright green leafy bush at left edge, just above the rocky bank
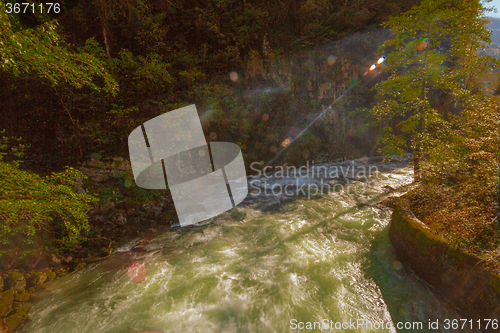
{"points": [[33, 207]]}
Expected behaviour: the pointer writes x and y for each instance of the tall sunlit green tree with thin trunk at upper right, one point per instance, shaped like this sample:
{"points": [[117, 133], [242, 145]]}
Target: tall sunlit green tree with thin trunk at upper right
{"points": [[433, 53]]}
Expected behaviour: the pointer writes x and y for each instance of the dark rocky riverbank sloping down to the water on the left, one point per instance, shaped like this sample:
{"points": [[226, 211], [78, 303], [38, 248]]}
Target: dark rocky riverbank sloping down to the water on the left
{"points": [[123, 213]]}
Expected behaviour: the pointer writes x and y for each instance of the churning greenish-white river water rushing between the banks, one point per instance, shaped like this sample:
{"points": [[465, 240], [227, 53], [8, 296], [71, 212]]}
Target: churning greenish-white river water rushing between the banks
{"points": [[325, 259]]}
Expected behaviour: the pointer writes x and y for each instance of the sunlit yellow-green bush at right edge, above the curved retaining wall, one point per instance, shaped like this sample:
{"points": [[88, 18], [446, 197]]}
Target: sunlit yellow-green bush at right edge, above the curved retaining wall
{"points": [[469, 153]]}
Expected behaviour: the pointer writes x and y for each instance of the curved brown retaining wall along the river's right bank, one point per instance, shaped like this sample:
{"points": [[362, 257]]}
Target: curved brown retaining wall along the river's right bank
{"points": [[466, 282]]}
